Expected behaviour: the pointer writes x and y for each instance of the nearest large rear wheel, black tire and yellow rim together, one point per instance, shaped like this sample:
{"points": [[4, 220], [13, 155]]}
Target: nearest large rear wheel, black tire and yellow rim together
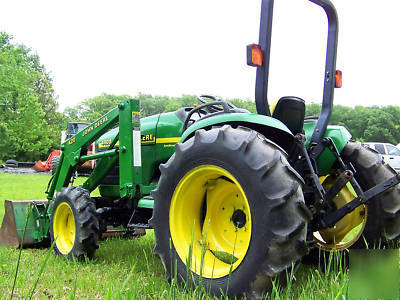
{"points": [[230, 210]]}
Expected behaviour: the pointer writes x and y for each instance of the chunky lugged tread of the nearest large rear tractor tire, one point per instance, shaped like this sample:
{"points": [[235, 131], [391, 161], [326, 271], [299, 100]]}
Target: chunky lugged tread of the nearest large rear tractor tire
{"points": [[282, 195]]}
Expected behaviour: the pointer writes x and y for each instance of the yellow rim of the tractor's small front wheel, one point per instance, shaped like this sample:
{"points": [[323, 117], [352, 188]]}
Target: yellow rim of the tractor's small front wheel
{"points": [[64, 228]]}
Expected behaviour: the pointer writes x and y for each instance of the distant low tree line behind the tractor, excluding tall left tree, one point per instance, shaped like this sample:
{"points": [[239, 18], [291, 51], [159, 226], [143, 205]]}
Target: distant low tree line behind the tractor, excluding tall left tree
{"points": [[367, 124]]}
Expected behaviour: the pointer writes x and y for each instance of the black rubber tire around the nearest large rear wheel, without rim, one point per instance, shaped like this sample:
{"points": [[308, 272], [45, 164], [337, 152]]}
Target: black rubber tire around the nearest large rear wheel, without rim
{"points": [[273, 190]]}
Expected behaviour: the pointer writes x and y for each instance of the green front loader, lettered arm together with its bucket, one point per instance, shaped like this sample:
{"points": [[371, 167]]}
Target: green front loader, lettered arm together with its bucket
{"points": [[27, 223]]}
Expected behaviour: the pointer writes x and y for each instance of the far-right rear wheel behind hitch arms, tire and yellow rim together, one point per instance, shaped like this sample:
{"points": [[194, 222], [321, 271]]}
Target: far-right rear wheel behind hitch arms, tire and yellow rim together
{"points": [[375, 225]]}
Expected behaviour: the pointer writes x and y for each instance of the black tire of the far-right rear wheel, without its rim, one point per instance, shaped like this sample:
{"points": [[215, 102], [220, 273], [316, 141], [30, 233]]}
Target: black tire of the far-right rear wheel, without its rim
{"points": [[383, 213]]}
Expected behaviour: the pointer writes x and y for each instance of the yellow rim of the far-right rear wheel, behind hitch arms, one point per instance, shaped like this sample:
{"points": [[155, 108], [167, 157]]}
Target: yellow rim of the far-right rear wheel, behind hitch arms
{"points": [[349, 229]]}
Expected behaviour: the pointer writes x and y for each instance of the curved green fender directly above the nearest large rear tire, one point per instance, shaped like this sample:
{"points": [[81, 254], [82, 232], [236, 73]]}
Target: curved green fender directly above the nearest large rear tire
{"points": [[271, 128]]}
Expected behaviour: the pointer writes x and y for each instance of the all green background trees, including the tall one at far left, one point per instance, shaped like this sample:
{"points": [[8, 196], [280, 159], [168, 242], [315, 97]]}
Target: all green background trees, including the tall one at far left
{"points": [[30, 125]]}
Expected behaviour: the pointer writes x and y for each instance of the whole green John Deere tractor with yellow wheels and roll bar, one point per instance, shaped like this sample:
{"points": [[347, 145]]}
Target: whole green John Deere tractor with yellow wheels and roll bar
{"points": [[235, 198]]}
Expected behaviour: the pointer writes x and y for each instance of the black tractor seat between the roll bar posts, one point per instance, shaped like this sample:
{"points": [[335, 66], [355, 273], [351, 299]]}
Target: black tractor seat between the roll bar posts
{"points": [[290, 111]]}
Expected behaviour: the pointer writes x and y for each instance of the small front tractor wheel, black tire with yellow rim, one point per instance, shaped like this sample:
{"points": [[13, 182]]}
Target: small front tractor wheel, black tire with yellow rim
{"points": [[74, 224]]}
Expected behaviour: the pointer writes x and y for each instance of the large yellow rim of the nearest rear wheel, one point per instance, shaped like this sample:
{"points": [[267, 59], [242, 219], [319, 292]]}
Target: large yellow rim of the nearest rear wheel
{"points": [[210, 221]]}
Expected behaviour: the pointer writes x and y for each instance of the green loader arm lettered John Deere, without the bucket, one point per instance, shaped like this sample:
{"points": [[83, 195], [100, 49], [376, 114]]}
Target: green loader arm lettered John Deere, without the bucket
{"points": [[128, 152]]}
